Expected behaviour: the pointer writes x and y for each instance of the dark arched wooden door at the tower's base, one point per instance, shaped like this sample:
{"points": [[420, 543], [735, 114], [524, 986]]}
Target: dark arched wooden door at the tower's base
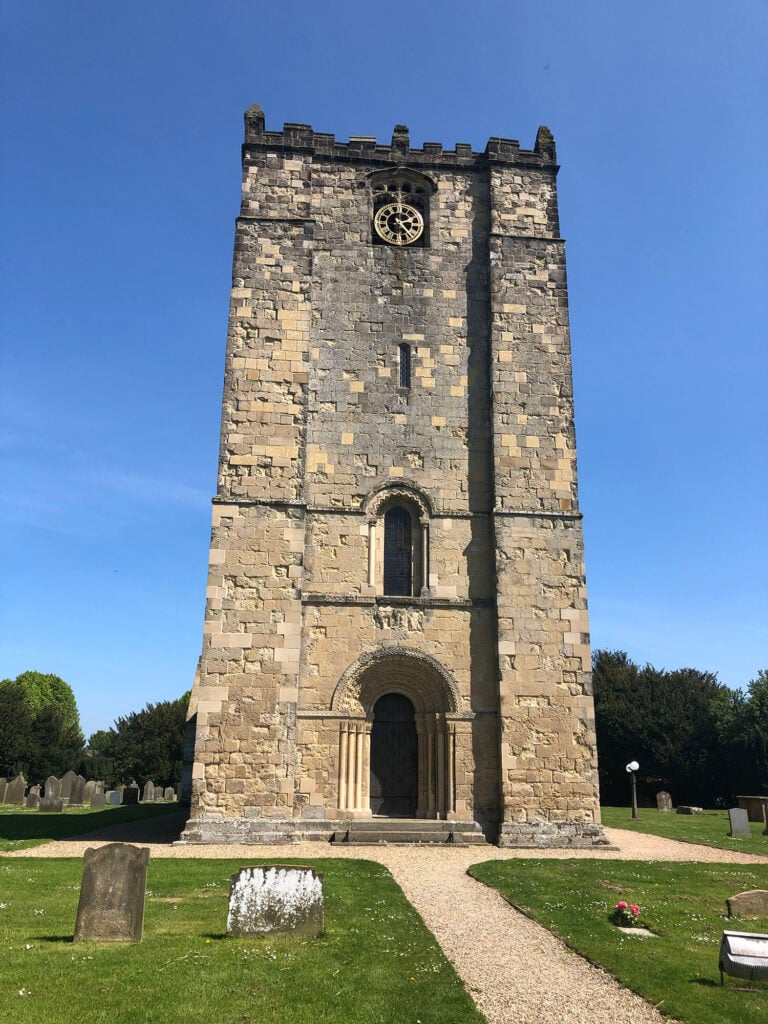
{"points": [[395, 767]]}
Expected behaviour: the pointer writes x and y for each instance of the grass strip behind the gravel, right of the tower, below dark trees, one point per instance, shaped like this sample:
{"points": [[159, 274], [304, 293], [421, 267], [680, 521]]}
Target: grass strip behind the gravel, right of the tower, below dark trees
{"points": [[710, 829]]}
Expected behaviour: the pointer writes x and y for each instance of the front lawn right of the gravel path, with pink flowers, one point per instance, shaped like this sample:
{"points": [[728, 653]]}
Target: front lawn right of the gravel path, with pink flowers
{"points": [[684, 904]]}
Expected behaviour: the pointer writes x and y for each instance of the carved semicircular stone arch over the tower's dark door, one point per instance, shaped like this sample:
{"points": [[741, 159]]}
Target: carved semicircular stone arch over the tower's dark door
{"points": [[428, 685]]}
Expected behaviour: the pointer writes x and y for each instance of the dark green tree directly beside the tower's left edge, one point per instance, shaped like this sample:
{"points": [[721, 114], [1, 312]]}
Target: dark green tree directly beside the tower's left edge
{"points": [[147, 745]]}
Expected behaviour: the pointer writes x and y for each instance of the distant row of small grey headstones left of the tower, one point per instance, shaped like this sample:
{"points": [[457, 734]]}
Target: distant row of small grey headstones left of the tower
{"points": [[73, 791]]}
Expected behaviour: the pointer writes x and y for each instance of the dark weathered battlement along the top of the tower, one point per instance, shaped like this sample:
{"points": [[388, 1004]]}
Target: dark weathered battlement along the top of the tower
{"points": [[365, 148]]}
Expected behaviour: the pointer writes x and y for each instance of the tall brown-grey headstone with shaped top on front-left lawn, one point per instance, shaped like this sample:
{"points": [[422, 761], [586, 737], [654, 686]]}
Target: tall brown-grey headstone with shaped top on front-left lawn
{"points": [[112, 894]]}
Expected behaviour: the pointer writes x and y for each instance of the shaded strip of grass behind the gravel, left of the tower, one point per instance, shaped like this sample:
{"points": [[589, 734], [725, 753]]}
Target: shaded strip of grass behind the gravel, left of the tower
{"points": [[21, 829]]}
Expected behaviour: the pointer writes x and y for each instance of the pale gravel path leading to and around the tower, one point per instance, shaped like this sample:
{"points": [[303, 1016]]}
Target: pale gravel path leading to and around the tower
{"points": [[516, 970]]}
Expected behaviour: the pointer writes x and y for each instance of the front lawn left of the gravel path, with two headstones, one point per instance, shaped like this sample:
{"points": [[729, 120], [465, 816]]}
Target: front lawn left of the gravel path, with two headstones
{"points": [[376, 963]]}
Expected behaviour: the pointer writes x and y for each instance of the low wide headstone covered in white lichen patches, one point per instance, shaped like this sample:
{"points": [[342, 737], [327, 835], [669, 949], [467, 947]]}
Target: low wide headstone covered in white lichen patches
{"points": [[277, 900]]}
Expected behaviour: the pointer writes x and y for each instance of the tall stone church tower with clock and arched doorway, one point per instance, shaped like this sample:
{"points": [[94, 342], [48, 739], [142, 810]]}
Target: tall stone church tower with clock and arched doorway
{"points": [[397, 623]]}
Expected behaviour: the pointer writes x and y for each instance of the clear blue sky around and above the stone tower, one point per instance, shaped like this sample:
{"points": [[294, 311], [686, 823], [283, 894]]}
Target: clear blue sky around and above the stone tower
{"points": [[121, 133]]}
